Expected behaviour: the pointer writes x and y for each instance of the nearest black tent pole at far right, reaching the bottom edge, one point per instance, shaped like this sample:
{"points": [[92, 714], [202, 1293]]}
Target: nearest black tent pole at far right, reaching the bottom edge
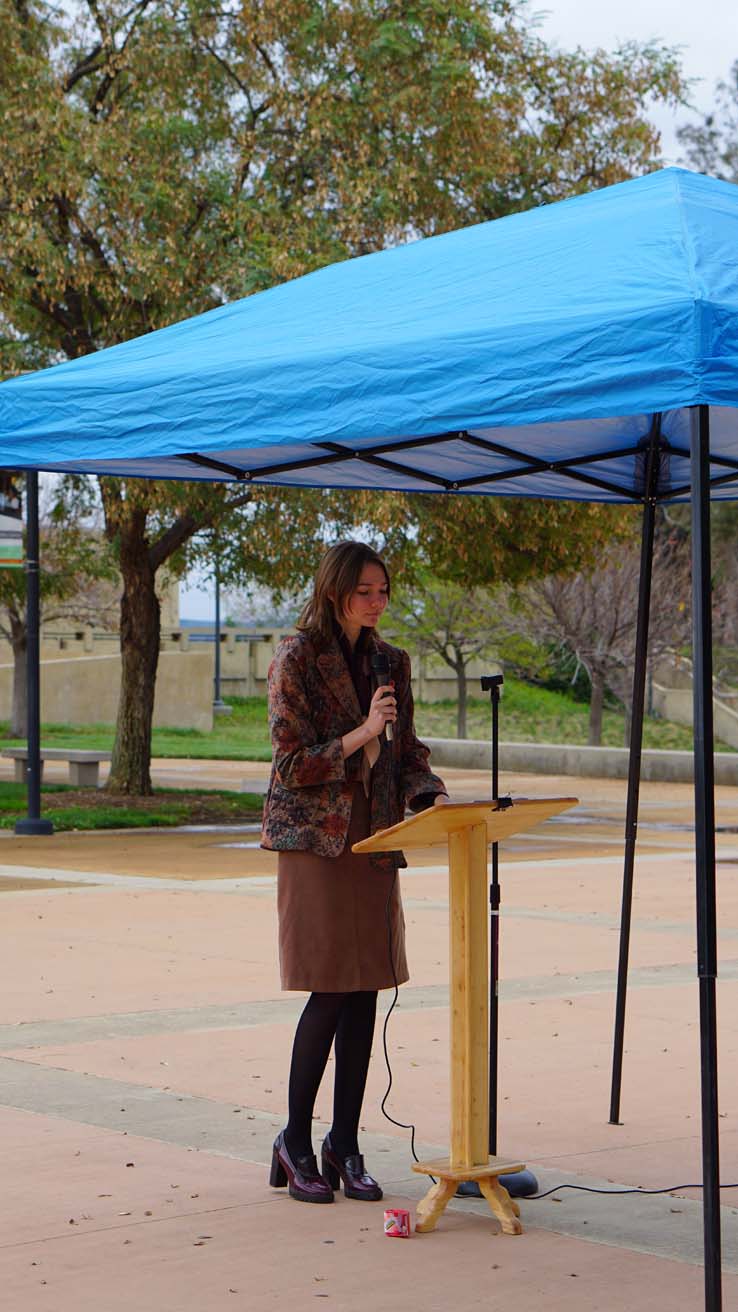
{"points": [[705, 846]]}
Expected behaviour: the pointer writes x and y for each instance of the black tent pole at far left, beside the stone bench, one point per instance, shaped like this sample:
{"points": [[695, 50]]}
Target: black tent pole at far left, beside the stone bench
{"points": [[32, 823]]}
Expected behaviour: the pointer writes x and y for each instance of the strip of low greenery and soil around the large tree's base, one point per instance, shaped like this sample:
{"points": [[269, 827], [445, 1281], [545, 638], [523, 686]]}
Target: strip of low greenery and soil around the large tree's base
{"points": [[91, 809]]}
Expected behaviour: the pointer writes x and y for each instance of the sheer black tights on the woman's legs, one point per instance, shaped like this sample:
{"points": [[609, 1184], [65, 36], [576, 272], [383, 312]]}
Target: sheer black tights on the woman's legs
{"points": [[350, 1020]]}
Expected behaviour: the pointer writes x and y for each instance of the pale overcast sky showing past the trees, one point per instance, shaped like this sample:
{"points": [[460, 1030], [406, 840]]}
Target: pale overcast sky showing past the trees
{"points": [[708, 36]]}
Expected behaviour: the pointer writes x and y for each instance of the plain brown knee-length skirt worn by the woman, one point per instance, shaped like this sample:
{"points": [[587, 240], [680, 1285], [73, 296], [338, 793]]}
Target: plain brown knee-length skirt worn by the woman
{"points": [[333, 911]]}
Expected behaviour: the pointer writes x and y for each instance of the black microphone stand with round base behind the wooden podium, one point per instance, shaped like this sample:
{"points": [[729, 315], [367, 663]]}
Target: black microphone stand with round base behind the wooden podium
{"points": [[521, 1184]]}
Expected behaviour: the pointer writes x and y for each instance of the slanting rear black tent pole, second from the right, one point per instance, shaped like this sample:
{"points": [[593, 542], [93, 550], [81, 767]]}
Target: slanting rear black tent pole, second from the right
{"points": [[635, 763]]}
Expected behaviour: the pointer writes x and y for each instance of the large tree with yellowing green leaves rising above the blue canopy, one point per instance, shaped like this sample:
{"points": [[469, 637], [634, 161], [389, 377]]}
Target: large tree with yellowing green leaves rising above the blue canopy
{"points": [[162, 157]]}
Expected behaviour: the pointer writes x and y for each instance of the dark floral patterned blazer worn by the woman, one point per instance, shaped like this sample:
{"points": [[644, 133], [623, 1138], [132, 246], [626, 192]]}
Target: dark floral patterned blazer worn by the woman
{"points": [[313, 704]]}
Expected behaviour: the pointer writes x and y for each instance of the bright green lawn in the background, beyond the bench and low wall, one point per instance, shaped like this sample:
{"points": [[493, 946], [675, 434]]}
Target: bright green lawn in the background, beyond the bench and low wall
{"points": [[529, 714]]}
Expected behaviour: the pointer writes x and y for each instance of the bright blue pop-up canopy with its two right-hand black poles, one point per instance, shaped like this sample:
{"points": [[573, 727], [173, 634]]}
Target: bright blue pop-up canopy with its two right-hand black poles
{"points": [[584, 351]]}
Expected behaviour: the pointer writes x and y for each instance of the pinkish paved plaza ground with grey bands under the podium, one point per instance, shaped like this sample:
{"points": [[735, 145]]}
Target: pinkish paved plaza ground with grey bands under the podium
{"points": [[144, 1059]]}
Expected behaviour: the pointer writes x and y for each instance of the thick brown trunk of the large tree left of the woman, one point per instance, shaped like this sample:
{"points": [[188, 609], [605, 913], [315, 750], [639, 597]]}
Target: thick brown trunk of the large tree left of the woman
{"points": [[131, 768]]}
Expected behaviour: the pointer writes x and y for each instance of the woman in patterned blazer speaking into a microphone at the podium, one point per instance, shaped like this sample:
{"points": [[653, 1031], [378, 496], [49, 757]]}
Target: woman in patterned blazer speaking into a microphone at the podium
{"points": [[338, 777]]}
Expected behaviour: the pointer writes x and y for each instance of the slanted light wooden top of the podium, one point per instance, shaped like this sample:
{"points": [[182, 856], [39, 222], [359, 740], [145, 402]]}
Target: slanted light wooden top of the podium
{"points": [[435, 825]]}
